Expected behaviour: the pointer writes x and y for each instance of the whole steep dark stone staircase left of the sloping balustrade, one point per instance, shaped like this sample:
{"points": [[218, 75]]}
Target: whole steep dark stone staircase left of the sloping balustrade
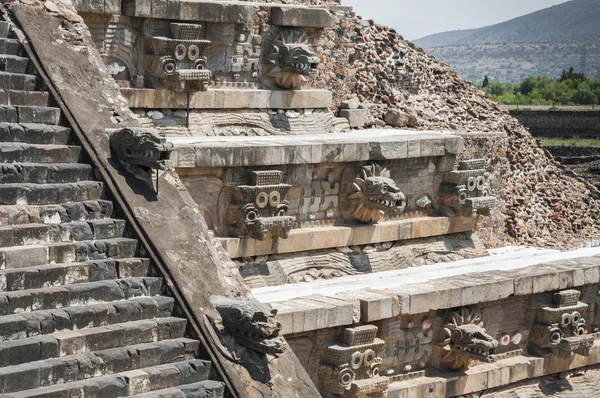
{"points": [[81, 314]]}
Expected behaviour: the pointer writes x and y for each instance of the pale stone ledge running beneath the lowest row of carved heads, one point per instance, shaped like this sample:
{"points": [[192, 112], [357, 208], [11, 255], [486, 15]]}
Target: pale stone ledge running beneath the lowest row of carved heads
{"points": [[487, 376]]}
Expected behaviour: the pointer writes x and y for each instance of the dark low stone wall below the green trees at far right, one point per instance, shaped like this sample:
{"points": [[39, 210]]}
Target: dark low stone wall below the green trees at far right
{"points": [[581, 124]]}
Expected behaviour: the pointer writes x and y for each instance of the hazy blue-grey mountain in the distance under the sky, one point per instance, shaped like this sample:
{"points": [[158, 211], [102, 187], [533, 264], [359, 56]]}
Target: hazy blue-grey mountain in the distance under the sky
{"points": [[544, 42]]}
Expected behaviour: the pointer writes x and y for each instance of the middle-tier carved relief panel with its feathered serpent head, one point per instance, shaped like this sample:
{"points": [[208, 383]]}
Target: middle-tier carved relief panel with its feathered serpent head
{"points": [[321, 195]]}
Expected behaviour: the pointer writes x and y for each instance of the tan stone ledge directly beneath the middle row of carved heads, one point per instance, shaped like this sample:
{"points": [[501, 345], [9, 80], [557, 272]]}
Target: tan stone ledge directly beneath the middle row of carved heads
{"points": [[319, 238]]}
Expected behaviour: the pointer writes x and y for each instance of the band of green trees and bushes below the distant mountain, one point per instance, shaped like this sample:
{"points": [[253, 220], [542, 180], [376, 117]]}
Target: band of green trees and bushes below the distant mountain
{"points": [[571, 88]]}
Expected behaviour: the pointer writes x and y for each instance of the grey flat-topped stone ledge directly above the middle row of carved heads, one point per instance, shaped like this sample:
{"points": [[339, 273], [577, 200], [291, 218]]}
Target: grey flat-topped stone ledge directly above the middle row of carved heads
{"points": [[353, 146]]}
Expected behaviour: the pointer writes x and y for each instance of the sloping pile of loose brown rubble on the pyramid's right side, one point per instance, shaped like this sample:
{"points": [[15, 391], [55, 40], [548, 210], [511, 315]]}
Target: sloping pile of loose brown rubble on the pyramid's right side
{"points": [[404, 86]]}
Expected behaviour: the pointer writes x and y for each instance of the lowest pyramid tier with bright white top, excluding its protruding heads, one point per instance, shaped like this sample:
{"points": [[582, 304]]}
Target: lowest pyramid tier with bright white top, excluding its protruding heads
{"points": [[505, 290]]}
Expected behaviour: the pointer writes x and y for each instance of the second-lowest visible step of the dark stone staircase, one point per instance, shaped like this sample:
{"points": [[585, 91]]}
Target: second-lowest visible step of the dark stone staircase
{"points": [[141, 381]]}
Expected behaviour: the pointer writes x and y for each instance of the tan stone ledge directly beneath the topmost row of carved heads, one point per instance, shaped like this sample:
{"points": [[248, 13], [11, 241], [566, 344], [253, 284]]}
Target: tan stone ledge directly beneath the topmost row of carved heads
{"points": [[228, 99]]}
